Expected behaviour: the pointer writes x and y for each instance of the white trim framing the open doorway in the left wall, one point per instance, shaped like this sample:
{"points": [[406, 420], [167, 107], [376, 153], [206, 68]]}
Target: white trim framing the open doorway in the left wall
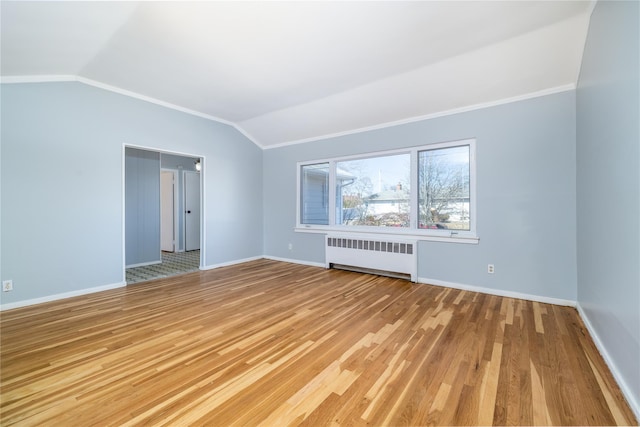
{"points": [[203, 199]]}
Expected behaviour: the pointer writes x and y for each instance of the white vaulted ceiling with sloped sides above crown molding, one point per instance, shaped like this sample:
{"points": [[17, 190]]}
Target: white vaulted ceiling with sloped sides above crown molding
{"points": [[284, 72]]}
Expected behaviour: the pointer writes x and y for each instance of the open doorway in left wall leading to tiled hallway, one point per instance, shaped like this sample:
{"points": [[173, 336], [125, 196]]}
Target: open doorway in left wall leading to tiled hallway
{"points": [[179, 234]]}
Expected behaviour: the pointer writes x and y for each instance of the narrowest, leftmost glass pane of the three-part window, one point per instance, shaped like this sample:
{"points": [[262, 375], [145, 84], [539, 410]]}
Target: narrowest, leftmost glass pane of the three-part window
{"points": [[314, 199]]}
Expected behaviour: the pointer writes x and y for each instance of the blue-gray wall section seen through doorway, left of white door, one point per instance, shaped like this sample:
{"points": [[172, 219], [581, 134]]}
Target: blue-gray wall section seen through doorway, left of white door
{"points": [[142, 207]]}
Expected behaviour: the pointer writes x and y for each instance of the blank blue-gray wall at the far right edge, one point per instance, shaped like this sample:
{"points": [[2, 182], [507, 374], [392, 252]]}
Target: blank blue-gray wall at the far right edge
{"points": [[608, 187]]}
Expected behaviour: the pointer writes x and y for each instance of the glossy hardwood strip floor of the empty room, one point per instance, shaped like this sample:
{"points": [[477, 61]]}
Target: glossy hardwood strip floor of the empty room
{"points": [[270, 343]]}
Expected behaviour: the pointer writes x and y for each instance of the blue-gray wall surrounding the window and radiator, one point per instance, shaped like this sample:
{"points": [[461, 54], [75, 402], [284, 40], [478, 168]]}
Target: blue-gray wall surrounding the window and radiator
{"points": [[526, 207]]}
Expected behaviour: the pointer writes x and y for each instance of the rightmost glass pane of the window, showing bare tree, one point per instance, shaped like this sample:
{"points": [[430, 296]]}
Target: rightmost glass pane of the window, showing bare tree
{"points": [[443, 188]]}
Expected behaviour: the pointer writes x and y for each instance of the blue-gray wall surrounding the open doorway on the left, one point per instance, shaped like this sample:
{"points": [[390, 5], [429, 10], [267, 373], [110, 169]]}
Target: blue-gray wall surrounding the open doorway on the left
{"points": [[62, 184]]}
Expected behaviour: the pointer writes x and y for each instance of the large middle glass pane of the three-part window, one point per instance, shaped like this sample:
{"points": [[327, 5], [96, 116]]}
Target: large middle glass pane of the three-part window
{"points": [[374, 191]]}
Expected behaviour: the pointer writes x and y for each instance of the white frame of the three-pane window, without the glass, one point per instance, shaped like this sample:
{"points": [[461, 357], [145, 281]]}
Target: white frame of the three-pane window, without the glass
{"points": [[457, 236]]}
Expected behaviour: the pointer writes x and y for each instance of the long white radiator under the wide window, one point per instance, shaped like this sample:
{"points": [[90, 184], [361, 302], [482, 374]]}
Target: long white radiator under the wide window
{"points": [[386, 256]]}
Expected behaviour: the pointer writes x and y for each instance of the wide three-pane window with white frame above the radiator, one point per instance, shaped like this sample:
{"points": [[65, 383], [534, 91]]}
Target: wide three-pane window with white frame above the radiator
{"points": [[426, 191]]}
